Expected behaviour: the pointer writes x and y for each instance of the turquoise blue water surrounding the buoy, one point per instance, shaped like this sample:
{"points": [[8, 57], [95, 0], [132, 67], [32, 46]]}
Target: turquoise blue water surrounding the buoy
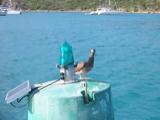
{"points": [[127, 56]]}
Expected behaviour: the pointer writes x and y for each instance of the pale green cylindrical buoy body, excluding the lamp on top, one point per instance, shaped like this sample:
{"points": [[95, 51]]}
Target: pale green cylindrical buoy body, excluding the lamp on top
{"points": [[65, 102]]}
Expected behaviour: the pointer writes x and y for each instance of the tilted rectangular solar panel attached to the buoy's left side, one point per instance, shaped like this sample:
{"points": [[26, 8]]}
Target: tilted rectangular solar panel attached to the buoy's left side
{"points": [[18, 92]]}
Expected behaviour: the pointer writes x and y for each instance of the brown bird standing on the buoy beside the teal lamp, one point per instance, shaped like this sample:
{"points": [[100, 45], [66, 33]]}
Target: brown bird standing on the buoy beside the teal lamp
{"points": [[84, 67]]}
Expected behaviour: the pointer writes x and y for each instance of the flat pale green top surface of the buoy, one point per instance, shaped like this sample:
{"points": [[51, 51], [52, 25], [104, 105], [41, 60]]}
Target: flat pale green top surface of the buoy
{"points": [[73, 89]]}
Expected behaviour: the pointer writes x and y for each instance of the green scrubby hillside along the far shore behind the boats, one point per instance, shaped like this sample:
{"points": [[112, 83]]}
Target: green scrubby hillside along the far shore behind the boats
{"points": [[128, 5]]}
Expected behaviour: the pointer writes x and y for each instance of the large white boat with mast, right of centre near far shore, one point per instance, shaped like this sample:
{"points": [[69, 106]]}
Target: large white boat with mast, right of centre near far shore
{"points": [[106, 10]]}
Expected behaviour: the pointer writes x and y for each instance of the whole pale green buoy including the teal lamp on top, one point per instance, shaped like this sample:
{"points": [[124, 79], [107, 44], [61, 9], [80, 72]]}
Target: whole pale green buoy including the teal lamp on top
{"points": [[67, 101]]}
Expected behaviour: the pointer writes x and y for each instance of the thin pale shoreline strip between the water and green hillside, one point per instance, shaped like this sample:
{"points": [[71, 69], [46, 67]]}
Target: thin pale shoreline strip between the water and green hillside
{"points": [[85, 11]]}
